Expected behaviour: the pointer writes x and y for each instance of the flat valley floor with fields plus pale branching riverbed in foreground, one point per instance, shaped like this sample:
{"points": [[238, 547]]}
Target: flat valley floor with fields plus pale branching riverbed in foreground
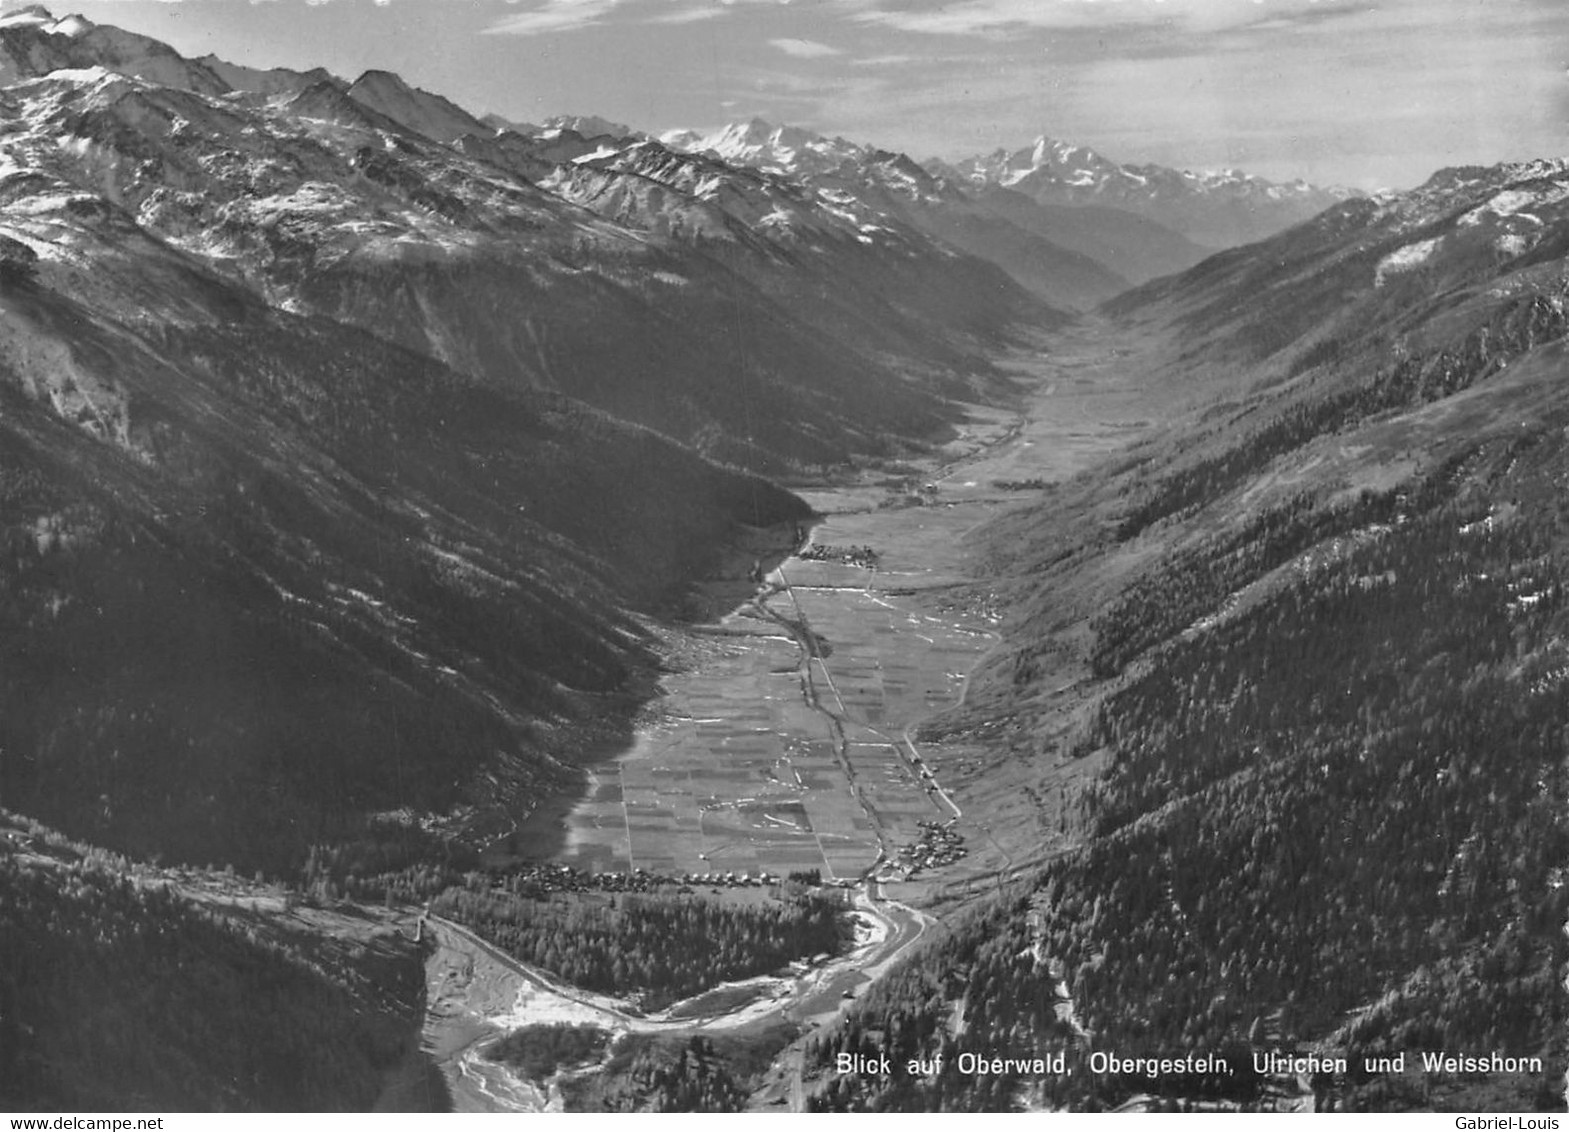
{"points": [[792, 740]]}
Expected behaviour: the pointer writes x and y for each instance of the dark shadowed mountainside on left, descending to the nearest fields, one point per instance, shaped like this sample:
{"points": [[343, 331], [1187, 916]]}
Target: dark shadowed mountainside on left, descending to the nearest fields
{"points": [[263, 555]]}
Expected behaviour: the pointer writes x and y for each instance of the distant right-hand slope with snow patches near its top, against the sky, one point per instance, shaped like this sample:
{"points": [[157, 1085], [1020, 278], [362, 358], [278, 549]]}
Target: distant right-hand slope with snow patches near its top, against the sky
{"points": [[1378, 277]]}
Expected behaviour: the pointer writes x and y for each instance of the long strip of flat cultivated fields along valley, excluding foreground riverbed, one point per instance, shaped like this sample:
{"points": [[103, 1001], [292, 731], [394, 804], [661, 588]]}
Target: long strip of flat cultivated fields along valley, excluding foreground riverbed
{"points": [[790, 747]]}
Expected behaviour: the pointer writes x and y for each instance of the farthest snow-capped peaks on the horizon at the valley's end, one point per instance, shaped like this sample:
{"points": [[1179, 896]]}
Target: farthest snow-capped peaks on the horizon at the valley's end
{"points": [[1212, 210]]}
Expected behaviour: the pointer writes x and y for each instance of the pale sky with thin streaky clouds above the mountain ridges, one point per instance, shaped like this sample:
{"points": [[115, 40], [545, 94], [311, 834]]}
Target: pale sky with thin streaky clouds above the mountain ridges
{"points": [[1339, 92]]}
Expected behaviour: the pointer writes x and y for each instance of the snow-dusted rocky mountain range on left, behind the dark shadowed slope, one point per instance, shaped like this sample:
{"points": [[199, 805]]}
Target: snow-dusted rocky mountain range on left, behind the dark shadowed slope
{"points": [[346, 202]]}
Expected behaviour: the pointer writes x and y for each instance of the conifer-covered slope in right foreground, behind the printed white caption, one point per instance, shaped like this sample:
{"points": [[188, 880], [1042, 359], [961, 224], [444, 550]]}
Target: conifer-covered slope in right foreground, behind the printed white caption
{"points": [[1353, 783]]}
